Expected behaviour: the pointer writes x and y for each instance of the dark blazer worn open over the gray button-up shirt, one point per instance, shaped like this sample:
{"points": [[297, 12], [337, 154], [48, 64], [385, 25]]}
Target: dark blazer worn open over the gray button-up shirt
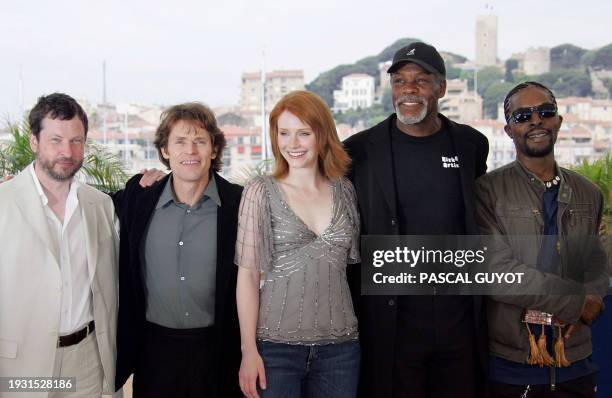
{"points": [[135, 206]]}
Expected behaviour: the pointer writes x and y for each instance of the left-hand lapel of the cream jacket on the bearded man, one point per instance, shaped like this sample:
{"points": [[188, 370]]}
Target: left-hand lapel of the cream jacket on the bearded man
{"points": [[31, 208]]}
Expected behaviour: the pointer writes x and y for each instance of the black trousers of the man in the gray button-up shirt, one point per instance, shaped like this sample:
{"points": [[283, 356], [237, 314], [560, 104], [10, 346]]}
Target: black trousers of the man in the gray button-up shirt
{"points": [[177, 363]]}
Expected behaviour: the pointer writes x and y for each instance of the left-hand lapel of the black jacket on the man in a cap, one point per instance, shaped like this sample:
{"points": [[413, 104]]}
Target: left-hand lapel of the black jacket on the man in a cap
{"points": [[379, 152]]}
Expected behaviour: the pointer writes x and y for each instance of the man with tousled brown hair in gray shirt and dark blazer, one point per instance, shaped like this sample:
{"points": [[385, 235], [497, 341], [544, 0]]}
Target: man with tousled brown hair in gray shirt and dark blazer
{"points": [[178, 327]]}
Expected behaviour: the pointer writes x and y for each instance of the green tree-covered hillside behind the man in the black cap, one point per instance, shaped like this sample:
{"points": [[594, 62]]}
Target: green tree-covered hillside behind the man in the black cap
{"points": [[569, 76]]}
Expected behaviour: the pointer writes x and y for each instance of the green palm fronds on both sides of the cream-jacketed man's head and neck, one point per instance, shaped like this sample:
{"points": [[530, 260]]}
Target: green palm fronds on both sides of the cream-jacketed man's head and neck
{"points": [[101, 169]]}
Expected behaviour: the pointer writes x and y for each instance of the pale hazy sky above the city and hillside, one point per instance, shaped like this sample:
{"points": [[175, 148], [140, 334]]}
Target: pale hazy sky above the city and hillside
{"points": [[162, 53]]}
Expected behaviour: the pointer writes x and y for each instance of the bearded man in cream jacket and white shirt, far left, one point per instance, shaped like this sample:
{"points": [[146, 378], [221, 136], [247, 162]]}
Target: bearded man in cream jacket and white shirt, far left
{"points": [[58, 264]]}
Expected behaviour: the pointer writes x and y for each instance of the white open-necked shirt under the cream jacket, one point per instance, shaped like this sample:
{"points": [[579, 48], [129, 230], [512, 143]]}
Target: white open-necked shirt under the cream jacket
{"points": [[68, 240]]}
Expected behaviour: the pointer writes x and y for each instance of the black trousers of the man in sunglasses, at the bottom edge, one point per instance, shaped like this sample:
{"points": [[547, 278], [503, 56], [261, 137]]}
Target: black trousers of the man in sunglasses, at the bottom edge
{"points": [[582, 387]]}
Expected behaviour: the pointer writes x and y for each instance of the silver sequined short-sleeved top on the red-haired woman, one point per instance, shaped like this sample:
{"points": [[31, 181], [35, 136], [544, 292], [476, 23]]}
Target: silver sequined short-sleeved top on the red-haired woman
{"points": [[305, 297]]}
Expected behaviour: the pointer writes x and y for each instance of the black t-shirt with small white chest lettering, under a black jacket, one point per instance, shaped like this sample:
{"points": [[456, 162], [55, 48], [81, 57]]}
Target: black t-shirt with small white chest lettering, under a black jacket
{"points": [[430, 202]]}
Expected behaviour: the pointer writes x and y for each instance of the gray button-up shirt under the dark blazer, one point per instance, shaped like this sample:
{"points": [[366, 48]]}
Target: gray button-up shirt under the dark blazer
{"points": [[180, 260]]}
